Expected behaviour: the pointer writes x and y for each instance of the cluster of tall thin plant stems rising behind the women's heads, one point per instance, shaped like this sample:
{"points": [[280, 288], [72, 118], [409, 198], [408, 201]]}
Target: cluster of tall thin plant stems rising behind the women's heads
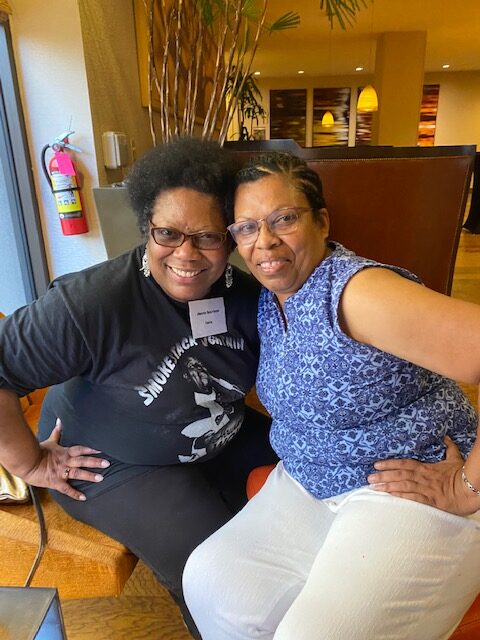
{"points": [[192, 33]]}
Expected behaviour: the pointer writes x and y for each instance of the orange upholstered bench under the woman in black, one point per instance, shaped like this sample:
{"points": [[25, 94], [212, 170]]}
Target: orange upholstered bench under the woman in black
{"points": [[79, 561]]}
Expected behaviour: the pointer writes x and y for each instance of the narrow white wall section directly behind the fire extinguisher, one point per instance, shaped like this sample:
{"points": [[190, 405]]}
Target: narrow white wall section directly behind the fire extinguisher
{"points": [[50, 64]]}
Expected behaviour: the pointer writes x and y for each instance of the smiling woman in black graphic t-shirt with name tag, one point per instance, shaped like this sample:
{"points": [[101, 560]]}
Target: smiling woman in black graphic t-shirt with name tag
{"points": [[152, 457]]}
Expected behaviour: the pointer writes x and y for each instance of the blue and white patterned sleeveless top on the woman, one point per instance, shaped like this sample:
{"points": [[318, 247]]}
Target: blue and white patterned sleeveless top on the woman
{"points": [[339, 405]]}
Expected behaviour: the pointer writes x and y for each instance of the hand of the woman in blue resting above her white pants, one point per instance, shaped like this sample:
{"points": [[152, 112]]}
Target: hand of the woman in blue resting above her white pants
{"points": [[437, 484]]}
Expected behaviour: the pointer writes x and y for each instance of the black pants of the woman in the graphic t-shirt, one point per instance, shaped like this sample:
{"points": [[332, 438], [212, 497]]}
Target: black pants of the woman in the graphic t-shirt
{"points": [[162, 513]]}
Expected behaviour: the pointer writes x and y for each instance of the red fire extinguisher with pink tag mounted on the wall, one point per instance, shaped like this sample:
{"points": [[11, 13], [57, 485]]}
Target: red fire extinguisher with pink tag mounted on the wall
{"points": [[64, 183]]}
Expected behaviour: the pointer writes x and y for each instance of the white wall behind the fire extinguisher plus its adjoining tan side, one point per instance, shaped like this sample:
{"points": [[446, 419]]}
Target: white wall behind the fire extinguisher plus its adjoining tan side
{"points": [[77, 61]]}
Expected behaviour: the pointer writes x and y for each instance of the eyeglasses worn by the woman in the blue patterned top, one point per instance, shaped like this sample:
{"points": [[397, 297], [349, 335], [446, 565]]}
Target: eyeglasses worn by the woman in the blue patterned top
{"points": [[280, 222]]}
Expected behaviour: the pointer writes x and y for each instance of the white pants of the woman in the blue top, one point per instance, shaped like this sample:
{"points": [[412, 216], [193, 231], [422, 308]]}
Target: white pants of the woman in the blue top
{"points": [[360, 566]]}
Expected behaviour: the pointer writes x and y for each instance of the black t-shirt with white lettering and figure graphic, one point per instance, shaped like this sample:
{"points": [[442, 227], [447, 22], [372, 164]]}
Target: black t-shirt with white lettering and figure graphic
{"points": [[134, 383]]}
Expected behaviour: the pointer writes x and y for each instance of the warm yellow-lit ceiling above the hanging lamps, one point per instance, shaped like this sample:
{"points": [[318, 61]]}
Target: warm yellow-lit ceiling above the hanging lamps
{"points": [[452, 26]]}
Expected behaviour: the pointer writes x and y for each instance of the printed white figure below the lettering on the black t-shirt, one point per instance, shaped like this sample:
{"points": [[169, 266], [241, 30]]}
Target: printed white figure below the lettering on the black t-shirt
{"points": [[216, 395]]}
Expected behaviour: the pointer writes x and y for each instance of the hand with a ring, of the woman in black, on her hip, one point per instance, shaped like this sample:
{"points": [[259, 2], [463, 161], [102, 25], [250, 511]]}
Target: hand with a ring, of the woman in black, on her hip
{"points": [[57, 465]]}
